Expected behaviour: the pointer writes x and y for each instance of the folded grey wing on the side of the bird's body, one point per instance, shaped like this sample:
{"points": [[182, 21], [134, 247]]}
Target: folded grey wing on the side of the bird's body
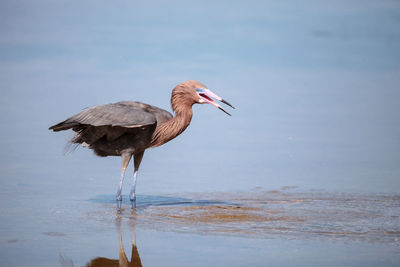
{"points": [[116, 115]]}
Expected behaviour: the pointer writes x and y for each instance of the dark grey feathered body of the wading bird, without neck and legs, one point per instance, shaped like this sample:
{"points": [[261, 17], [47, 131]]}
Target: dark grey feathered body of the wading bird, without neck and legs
{"points": [[110, 129]]}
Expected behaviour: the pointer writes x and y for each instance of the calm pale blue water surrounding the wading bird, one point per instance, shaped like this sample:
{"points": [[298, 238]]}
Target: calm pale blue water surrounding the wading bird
{"points": [[316, 91]]}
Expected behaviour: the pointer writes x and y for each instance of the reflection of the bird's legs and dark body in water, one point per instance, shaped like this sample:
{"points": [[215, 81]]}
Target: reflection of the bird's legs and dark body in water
{"points": [[123, 259]]}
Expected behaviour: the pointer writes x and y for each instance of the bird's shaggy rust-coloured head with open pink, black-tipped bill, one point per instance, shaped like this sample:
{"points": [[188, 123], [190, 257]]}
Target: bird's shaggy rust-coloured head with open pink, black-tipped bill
{"points": [[194, 92]]}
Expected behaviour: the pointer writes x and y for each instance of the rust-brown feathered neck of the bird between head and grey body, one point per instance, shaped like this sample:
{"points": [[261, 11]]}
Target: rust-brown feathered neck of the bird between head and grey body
{"points": [[173, 127]]}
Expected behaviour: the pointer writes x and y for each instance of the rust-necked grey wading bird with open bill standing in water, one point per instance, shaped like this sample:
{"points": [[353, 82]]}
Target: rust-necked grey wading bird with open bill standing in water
{"points": [[128, 128]]}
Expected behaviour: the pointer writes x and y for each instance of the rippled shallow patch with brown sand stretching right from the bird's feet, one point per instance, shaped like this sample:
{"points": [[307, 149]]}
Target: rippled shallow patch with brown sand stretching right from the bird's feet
{"points": [[274, 214]]}
